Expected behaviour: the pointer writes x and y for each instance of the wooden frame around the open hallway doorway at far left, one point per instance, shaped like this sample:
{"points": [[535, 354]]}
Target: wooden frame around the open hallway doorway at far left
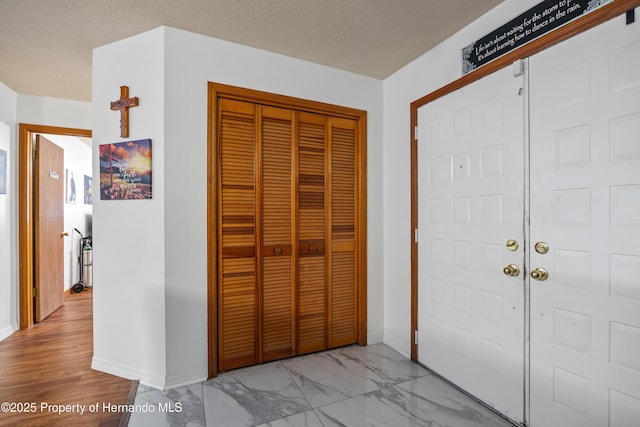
{"points": [[26, 194]]}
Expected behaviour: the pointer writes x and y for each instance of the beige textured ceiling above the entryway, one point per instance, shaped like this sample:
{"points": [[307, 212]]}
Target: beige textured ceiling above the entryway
{"points": [[46, 45]]}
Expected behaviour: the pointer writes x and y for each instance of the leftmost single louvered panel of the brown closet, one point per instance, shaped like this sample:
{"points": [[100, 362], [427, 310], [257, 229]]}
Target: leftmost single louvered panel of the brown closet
{"points": [[237, 280]]}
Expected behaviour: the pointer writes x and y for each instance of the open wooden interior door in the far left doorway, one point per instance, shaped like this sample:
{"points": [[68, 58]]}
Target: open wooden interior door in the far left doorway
{"points": [[49, 227]]}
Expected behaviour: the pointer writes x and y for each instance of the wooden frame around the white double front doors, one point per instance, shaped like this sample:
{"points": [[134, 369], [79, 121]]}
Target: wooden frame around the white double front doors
{"points": [[599, 16]]}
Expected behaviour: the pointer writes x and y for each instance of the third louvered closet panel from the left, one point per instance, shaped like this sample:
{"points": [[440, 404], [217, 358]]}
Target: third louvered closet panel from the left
{"points": [[312, 283]]}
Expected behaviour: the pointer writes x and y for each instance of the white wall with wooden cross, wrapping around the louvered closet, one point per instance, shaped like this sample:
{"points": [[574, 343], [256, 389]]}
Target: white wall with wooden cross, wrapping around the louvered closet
{"points": [[159, 297]]}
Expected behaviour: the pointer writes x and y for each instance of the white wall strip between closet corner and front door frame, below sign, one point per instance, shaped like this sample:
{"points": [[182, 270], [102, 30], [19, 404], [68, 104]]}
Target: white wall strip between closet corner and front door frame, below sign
{"points": [[436, 68]]}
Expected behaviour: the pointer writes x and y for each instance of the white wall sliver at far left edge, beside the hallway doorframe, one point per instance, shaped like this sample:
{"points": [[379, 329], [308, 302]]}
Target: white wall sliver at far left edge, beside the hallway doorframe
{"points": [[8, 292]]}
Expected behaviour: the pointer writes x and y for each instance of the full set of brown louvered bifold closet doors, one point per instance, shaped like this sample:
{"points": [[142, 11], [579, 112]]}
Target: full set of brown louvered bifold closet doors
{"points": [[287, 228]]}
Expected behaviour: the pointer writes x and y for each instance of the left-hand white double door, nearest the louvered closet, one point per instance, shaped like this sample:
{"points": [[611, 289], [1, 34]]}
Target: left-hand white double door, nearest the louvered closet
{"points": [[471, 202]]}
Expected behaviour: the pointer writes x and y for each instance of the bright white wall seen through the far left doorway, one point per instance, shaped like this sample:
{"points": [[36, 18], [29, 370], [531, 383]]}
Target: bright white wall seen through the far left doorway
{"points": [[77, 157]]}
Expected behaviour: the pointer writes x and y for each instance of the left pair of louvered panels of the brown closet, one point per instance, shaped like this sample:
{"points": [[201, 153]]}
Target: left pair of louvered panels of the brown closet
{"points": [[256, 292]]}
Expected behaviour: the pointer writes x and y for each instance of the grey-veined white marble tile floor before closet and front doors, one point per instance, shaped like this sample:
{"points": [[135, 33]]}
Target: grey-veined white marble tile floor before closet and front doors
{"points": [[351, 386]]}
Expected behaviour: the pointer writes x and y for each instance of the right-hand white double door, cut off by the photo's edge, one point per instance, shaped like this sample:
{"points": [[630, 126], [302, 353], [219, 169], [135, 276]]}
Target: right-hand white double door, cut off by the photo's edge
{"points": [[585, 205]]}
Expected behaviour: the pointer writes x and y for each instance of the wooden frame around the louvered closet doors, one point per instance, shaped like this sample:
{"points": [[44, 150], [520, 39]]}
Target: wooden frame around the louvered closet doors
{"points": [[217, 91]]}
